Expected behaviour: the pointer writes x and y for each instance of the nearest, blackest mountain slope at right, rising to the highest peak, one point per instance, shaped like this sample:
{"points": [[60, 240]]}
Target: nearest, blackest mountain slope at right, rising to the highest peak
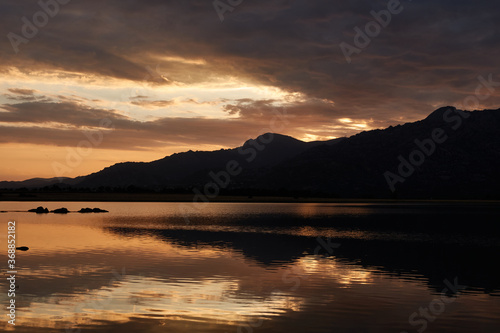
{"points": [[450, 154]]}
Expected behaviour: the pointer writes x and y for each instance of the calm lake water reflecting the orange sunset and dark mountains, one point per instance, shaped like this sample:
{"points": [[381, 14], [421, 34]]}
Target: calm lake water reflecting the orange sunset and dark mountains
{"points": [[248, 267]]}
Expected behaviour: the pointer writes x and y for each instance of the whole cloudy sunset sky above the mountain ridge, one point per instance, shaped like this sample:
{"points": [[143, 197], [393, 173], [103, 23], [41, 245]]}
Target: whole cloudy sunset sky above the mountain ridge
{"points": [[86, 84]]}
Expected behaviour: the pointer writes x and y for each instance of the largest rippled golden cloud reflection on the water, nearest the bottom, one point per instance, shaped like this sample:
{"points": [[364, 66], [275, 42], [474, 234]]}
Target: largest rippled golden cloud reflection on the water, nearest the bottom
{"points": [[134, 296]]}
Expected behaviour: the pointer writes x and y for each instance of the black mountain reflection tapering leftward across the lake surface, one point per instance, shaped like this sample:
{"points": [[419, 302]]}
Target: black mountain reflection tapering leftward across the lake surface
{"points": [[473, 265]]}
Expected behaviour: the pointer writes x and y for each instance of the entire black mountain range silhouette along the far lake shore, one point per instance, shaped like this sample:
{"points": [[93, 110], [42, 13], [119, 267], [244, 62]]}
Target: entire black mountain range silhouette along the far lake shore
{"points": [[451, 154]]}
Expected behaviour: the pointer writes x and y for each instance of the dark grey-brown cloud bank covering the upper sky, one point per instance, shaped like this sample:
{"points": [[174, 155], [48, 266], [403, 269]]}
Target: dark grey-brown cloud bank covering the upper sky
{"points": [[429, 55]]}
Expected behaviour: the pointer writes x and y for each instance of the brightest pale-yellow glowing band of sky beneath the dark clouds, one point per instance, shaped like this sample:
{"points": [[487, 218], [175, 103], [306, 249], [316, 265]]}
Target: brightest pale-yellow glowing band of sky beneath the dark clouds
{"points": [[194, 100]]}
